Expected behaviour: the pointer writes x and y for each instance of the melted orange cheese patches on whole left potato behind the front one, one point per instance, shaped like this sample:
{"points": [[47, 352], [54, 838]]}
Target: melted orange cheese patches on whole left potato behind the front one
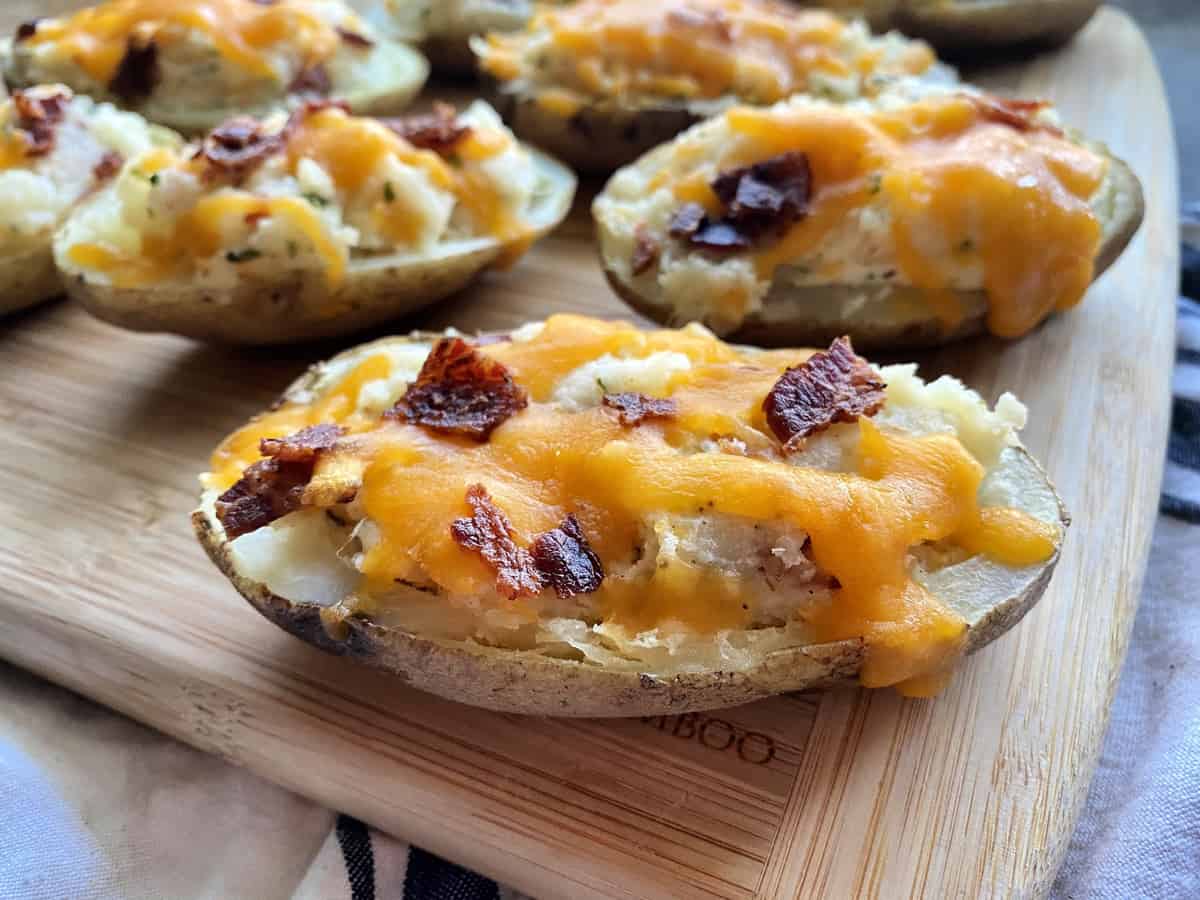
{"points": [[352, 151]]}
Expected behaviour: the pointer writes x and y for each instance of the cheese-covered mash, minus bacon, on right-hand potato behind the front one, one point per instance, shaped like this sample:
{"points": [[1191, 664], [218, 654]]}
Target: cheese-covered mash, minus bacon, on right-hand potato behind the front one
{"points": [[934, 194]]}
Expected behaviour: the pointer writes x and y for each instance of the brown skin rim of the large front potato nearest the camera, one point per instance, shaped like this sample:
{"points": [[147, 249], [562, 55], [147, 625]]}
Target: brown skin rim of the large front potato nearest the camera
{"points": [[530, 683]]}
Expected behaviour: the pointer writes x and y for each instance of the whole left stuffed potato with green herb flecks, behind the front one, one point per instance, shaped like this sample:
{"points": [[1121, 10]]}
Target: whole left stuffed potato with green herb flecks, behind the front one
{"points": [[310, 226]]}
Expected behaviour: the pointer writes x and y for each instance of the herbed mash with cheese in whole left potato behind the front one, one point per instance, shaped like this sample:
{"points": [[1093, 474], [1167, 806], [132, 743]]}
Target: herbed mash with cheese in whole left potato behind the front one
{"points": [[338, 189]]}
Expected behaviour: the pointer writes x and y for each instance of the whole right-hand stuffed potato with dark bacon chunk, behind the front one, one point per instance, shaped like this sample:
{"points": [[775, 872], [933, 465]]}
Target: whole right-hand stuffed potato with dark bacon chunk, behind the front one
{"points": [[910, 221]]}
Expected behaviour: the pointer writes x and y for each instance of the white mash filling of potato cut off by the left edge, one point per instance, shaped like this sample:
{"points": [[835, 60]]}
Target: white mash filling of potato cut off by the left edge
{"points": [[38, 190]]}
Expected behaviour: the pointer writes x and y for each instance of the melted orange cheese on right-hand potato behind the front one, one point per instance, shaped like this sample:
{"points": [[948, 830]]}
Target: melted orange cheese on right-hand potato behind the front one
{"points": [[961, 189]]}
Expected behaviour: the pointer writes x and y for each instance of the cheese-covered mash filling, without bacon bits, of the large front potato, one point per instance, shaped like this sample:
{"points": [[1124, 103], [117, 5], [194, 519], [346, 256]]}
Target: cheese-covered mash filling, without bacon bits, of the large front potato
{"points": [[713, 541]]}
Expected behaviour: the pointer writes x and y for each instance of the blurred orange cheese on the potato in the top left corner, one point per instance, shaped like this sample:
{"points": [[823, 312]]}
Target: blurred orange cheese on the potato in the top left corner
{"points": [[245, 33]]}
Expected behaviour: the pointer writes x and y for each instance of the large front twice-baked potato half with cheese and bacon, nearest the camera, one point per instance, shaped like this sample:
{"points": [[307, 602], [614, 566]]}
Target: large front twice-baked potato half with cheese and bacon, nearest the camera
{"points": [[586, 519]]}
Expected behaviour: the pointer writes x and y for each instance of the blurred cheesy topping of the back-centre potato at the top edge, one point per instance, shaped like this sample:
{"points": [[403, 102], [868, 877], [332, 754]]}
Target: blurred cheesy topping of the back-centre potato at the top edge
{"points": [[758, 51]]}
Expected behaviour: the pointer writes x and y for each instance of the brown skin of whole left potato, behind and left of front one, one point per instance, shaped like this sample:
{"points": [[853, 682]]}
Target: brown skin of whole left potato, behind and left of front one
{"points": [[297, 307]]}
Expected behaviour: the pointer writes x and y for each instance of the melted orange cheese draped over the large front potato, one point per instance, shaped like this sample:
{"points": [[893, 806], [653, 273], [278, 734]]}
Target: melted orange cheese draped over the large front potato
{"points": [[547, 463]]}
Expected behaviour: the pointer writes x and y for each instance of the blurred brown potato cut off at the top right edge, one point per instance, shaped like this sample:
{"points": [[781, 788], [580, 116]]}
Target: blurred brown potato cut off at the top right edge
{"points": [[958, 27]]}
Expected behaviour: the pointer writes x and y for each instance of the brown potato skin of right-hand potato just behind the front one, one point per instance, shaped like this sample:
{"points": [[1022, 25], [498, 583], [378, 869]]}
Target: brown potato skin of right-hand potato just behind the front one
{"points": [[902, 332]]}
